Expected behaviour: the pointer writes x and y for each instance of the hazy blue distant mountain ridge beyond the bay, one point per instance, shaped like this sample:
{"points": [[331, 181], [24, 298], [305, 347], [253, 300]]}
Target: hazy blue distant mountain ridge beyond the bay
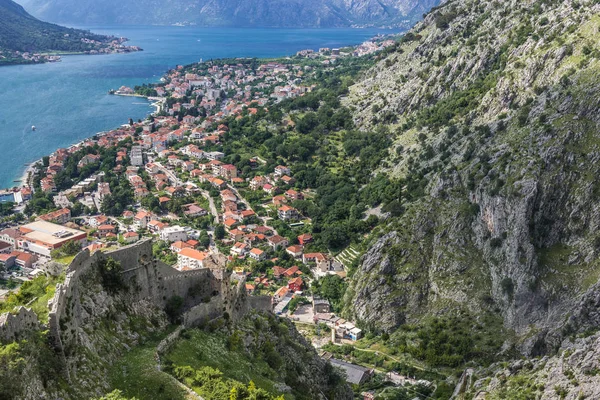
{"points": [[242, 13]]}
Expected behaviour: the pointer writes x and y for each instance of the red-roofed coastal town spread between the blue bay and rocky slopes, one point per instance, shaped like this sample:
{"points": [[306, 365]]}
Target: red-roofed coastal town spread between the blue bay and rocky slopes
{"points": [[172, 178]]}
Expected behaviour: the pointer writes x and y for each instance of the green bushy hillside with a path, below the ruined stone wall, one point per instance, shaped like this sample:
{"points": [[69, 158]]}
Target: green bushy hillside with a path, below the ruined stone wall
{"points": [[250, 360]]}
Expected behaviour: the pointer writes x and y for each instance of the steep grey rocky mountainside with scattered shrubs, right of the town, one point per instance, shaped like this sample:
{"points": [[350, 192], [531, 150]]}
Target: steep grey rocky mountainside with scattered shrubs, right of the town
{"points": [[494, 109]]}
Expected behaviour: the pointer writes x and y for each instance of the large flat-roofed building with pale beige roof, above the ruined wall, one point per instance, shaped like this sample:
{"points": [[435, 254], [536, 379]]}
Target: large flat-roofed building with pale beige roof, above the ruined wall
{"points": [[41, 237]]}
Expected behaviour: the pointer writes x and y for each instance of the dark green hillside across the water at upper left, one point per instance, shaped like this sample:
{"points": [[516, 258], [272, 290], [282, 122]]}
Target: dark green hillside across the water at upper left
{"points": [[19, 31]]}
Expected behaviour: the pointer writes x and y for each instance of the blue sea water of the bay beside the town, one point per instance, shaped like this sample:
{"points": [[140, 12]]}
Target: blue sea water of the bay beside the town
{"points": [[68, 101]]}
